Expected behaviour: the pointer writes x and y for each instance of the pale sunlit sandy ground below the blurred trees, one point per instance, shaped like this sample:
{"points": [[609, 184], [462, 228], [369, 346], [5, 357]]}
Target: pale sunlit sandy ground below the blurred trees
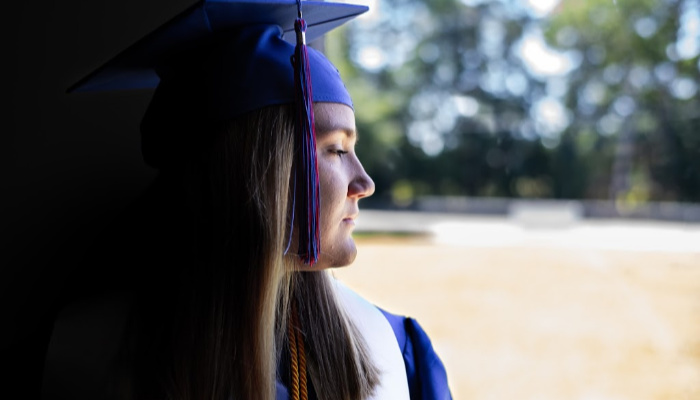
{"points": [[575, 310]]}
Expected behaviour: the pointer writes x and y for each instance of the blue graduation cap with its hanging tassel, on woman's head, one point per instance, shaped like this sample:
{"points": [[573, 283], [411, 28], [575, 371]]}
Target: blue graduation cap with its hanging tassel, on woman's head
{"points": [[222, 58]]}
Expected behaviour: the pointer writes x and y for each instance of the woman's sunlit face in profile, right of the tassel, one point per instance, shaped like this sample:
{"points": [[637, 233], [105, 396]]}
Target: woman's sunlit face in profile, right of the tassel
{"points": [[343, 182]]}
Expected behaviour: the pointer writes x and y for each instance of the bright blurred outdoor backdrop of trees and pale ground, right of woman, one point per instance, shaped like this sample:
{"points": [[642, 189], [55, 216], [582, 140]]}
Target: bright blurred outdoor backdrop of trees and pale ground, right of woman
{"points": [[538, 186]]}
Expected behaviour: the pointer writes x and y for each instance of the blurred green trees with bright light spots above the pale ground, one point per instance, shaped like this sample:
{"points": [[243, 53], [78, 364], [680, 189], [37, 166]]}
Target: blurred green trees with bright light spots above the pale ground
{"points": [[592, 99]]}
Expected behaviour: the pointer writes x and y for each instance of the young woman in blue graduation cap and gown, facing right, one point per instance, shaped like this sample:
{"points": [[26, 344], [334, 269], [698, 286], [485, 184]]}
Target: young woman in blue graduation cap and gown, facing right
{"points": [[224, 260]]}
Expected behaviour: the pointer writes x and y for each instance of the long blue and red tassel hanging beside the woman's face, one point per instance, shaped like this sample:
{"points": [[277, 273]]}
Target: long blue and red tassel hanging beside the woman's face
{"points": [[306, 163]]}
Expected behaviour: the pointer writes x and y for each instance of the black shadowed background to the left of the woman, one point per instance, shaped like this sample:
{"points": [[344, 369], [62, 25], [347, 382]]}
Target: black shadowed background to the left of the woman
{"points": [[70, 163]]}
